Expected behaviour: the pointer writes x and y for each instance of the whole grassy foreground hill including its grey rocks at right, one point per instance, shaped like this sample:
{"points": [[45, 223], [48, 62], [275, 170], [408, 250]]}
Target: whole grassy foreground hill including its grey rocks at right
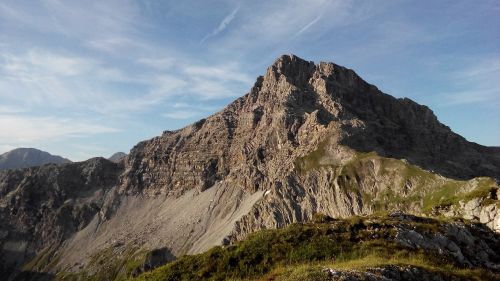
{"points": [[327, 249]]}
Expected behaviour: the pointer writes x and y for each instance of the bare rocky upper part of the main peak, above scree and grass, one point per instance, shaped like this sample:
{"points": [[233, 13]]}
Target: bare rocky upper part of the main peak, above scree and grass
{"points": [[293, 108]]}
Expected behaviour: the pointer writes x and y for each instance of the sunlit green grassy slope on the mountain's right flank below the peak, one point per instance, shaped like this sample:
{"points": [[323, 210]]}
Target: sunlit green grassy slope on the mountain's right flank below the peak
{"points": [[428, 190]]}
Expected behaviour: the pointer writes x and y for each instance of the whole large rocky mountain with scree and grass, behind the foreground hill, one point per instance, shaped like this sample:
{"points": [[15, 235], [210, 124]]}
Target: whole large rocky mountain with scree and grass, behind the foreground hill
{"points": [[307, 139]]}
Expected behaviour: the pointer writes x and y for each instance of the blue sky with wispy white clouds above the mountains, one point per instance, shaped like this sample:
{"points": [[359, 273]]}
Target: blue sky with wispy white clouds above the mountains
{"points": [[89, 78]]}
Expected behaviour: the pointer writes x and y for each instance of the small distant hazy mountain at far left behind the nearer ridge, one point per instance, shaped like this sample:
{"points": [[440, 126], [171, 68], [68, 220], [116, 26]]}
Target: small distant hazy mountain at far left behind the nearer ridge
{"points": [[28, 157]]}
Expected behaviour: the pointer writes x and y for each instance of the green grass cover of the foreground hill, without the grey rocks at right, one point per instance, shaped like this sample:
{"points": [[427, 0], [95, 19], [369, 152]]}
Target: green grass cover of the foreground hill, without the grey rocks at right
{"points": [[301, 251]]}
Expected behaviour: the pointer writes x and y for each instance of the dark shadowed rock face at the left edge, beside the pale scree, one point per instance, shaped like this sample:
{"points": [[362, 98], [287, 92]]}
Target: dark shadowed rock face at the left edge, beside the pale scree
{"points": [[41, 207]]}
